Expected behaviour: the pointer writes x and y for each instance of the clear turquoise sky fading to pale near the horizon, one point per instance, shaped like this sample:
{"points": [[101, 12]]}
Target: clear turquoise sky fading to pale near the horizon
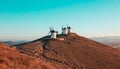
{"points": [[31, 19]]}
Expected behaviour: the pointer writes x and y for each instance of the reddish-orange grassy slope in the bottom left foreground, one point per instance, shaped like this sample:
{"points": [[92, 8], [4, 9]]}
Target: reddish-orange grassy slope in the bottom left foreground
{"points": [[10, 58]]}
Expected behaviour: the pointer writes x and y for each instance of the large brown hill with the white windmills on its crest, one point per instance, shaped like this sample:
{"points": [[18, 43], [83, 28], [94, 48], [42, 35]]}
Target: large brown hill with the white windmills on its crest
{"points": [[74, 52]]}
